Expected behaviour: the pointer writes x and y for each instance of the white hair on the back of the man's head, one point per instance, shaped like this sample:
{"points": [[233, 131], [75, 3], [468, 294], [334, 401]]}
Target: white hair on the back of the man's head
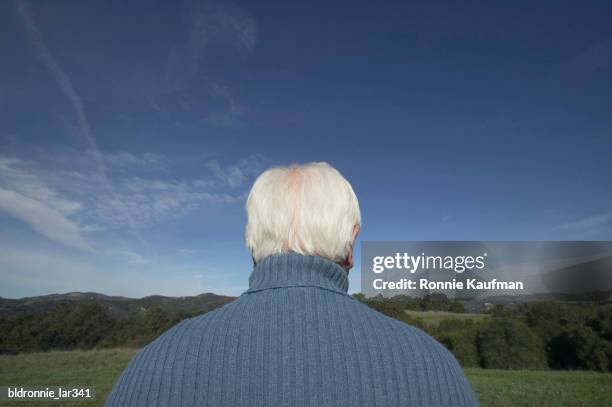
{"points": [[309, 209]]}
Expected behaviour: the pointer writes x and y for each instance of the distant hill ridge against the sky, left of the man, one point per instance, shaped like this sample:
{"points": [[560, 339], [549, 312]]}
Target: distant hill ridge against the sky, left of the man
{"points": [[116, 307]]}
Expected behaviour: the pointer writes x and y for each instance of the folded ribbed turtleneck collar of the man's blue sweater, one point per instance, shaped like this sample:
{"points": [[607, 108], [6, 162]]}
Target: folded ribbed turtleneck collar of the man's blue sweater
{"points": [[295, 270]]}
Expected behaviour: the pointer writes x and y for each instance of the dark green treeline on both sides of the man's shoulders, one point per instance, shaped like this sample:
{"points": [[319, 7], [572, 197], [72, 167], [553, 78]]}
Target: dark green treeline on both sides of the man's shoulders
{"points": [[544, 335]]}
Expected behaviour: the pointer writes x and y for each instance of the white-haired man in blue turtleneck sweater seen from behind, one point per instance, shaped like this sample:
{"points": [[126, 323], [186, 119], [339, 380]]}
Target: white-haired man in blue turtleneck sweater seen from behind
{"points": [[295, 337]]}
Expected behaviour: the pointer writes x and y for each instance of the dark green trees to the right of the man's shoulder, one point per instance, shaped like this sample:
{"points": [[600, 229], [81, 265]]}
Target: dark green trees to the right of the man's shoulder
{"points": [[542, 335]]}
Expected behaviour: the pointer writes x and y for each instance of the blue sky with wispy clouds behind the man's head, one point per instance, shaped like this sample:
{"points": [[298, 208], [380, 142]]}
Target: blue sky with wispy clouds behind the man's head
{"points": [[131, 132]]}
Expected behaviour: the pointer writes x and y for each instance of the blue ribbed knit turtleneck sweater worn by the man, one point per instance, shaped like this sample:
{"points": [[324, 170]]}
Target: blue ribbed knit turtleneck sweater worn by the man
{"points": [[294, 338]]}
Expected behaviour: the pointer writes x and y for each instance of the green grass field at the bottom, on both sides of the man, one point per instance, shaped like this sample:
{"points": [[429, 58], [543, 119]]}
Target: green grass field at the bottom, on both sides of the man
{"points": [[495, 388]]}
